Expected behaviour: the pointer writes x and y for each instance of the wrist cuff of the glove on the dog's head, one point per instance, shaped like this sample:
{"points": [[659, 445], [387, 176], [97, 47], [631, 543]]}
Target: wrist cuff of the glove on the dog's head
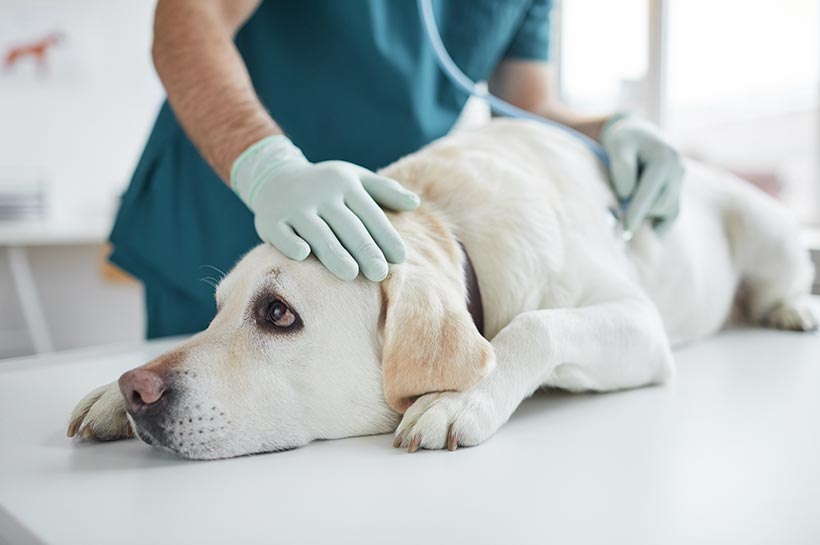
{"points": [[259, 162]]}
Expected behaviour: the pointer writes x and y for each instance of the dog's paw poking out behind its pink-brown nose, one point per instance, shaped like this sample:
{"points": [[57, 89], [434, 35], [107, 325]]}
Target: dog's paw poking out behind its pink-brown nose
{"points": [[101, 415]]}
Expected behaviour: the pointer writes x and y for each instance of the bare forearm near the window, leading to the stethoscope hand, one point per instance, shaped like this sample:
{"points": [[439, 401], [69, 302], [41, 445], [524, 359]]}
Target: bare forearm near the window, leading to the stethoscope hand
{"points": [[529, 85]]}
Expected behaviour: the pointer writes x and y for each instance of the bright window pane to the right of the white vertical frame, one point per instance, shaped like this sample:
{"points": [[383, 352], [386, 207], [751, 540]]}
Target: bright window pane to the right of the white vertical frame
{"points": [[743, 92]]}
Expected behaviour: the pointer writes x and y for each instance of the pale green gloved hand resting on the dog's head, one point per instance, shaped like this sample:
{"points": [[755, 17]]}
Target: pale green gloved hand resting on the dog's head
{"points": [[329, 208]]}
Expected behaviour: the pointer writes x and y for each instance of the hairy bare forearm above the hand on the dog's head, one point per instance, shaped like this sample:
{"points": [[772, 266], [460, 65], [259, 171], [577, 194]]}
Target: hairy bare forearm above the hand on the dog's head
{"points": [[206, 80]]}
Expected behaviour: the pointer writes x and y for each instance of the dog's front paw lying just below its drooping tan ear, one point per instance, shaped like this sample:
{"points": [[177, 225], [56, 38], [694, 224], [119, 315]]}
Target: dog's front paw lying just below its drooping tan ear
{"points": [[448, 419]]}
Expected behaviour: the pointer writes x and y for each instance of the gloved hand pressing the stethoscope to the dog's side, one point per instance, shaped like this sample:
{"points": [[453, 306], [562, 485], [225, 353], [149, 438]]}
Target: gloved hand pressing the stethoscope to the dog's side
{"points": [[645, 169]]}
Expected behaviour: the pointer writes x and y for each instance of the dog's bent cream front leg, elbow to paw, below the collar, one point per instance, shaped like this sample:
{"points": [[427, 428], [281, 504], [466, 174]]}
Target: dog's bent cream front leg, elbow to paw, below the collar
{"points": [[608, 346]]}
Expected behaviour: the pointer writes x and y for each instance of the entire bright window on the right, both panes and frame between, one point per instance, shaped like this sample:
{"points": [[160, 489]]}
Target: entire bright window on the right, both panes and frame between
{"points": [[734, 83]]}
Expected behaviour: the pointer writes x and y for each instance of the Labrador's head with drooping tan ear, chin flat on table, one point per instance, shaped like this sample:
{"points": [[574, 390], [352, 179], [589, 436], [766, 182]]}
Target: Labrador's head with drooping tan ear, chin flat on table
{"points": [[295, 354]]}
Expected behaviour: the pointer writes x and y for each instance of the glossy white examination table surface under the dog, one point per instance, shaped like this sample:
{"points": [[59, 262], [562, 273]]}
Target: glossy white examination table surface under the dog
{"points": [[729, 453]]}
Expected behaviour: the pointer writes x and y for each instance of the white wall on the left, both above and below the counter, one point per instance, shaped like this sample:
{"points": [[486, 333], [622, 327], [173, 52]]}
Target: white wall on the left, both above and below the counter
{"points": [[81, 121]]}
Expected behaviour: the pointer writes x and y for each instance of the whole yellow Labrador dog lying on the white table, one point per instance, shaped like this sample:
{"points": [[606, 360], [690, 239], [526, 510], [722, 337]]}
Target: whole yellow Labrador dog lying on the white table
{"points": [[295, 354]]}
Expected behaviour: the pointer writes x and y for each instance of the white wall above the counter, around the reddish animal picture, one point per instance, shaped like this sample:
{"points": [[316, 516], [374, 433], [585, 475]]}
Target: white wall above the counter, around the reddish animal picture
{"points": [[84, 117]]}
